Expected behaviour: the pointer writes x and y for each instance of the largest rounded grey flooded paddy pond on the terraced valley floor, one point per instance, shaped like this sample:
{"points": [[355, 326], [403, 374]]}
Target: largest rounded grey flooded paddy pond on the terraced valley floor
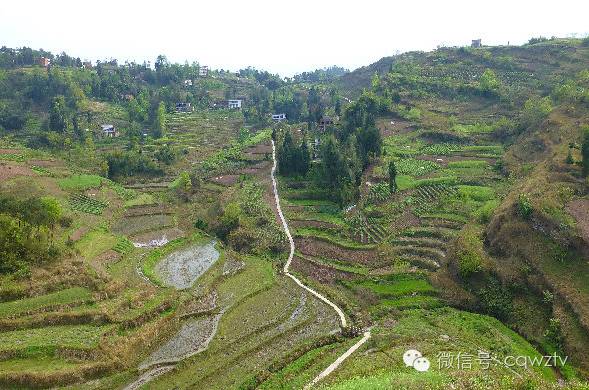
{"points": [[180, 269]]}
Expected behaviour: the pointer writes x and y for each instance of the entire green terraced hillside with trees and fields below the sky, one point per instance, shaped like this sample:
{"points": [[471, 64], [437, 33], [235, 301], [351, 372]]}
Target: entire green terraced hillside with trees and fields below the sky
{"points": [[439, 199]]}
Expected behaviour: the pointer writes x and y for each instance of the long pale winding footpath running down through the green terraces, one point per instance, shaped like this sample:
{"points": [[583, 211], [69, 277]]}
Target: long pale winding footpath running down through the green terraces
{"points": [[333, 366]]}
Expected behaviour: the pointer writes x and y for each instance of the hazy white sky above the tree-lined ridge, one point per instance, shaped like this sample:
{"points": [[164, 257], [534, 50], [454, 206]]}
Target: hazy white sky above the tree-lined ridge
{"points": [[284, 37]]}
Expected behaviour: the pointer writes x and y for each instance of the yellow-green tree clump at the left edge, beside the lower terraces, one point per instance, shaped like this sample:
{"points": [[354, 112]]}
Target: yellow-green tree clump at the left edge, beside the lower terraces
{"points": [[26, 227]]}
